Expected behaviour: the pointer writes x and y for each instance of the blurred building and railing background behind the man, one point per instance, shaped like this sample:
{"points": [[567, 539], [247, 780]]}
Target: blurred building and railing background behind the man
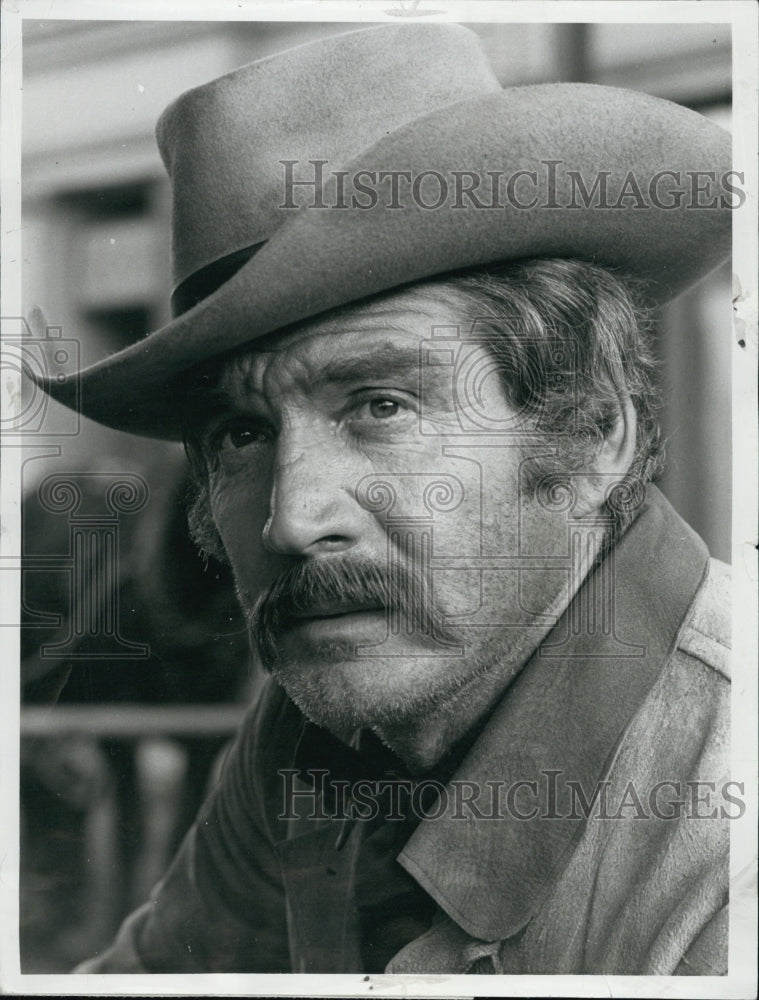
{"points": [[146, 696]]}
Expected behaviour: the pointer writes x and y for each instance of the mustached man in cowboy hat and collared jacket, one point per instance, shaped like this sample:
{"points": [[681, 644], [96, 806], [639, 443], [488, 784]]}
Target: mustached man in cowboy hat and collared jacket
{"points": [[411, 365]]}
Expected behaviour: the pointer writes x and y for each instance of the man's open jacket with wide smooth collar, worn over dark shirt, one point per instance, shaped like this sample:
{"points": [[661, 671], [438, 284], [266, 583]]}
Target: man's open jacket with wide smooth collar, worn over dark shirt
{"points": [[585, 831]]}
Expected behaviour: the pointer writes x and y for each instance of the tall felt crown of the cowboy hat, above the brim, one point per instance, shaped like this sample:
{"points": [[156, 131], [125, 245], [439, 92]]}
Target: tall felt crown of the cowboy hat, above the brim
{"points": [[223, 143]]}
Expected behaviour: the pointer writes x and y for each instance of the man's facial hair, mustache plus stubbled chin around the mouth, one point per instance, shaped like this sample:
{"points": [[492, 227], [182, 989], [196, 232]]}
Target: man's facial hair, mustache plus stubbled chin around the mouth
{"points": [[341, 684]]}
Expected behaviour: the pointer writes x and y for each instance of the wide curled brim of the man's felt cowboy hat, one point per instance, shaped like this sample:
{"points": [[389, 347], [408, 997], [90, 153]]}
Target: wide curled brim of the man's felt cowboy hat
{"points": [[322, 258]]}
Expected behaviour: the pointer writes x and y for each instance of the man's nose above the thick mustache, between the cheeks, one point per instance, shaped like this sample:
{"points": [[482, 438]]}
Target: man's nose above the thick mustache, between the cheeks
{"points": [[311, 510]]}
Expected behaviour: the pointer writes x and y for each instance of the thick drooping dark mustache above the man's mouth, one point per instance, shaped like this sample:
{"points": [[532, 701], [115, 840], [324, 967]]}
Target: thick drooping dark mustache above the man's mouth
{"points": [[349, 584]]}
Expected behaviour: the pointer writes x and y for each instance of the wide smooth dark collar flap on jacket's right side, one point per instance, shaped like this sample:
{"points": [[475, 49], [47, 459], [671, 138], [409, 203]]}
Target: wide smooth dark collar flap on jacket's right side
{"points": [[560, 721]]}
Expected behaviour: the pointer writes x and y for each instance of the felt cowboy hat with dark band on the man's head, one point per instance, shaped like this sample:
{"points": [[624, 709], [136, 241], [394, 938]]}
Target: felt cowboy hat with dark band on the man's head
{"points": [[358, 163]]}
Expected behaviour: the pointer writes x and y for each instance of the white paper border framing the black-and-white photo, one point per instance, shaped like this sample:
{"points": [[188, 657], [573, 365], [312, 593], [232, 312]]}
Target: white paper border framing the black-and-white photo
{"points": [[741, 980]]}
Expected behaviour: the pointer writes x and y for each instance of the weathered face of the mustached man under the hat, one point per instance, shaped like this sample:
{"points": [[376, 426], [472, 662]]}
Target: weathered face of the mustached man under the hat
{"points": [[382, 468]]}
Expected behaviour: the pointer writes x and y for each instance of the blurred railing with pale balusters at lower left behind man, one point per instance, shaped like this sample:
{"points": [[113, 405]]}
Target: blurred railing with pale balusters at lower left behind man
{"points": [[107, 790]]}
